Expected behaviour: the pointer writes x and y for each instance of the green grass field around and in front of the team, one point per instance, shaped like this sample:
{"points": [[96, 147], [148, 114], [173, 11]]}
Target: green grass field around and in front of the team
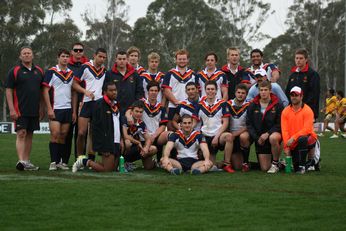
{"points": [[155, 200]]}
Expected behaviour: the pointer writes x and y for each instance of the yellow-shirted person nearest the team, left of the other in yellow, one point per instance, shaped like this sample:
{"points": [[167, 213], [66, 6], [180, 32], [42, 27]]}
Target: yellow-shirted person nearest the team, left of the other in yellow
{"points": [[329, 110]]}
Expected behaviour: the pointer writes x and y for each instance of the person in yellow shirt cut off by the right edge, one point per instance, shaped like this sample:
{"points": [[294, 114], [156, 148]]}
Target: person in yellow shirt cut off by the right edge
{"points": [[340, 115]]}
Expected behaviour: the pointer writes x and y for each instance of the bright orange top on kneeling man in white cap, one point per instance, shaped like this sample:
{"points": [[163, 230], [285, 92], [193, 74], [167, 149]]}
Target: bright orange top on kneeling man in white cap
{"points": [[297, 123]]}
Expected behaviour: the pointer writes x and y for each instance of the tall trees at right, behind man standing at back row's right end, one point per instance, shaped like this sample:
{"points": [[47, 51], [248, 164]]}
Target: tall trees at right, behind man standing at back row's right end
{"points": [[318, 26]]}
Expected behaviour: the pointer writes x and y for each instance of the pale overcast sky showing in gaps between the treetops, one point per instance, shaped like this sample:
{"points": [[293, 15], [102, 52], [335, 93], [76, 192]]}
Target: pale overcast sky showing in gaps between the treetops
{"points": [[274, 26]]}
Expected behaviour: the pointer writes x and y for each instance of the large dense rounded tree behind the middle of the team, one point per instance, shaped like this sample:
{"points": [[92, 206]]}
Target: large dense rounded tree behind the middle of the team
{"points": [[192, 25]]}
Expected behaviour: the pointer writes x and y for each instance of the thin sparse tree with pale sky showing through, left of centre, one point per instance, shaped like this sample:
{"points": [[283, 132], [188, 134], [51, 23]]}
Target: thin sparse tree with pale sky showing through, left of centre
{"points": [[112, 32]]}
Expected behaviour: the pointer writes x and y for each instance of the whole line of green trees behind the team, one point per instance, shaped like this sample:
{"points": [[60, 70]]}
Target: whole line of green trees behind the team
{"points": [[199, 26]]}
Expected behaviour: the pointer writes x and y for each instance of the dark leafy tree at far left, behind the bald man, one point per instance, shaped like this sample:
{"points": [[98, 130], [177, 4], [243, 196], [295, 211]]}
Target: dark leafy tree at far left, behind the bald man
{"points": [[20, 23]]}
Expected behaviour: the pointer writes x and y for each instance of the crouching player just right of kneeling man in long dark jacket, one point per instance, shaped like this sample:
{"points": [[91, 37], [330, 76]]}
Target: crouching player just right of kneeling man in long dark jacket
{"points": [[138, 144]]}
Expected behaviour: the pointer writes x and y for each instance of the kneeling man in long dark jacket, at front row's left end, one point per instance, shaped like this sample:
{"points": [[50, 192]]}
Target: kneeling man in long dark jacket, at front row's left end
{"points": [[106, 132]]}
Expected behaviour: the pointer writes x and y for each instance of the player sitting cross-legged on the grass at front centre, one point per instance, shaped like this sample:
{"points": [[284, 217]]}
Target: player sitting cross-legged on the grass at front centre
{"points": [[187, 142]]}
